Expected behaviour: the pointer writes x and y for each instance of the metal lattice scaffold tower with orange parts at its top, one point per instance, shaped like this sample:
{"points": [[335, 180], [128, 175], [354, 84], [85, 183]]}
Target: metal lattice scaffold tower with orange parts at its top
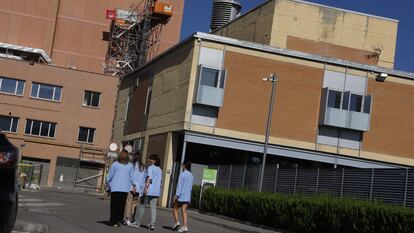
{"points": [[134, 36]]}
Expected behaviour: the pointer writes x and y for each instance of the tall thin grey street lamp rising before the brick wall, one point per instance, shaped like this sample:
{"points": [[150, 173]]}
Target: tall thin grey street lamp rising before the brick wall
{"points": [[272, 78]]}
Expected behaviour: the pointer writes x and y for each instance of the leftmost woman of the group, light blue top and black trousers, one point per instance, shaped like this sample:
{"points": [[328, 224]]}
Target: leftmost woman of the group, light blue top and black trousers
{"points": [[119, 180]]}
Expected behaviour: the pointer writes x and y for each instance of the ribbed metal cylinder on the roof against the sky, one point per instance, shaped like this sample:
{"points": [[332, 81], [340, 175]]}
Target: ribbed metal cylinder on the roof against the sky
{"points": [[224, 11]]}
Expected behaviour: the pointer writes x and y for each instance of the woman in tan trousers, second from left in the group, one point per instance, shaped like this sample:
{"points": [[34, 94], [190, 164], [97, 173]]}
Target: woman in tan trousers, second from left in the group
{"points": [[138, 177]]}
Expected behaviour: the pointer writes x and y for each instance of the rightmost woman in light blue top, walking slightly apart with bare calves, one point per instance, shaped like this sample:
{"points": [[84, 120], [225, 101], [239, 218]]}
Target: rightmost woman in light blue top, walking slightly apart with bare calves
{"points": [[183, 197]]}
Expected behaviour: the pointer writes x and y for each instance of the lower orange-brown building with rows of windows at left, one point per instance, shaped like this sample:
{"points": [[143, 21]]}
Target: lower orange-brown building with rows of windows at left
{"points": [[61, 118]]}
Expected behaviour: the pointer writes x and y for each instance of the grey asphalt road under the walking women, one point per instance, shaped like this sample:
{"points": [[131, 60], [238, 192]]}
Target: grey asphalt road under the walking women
{"points": [[80, 213]]}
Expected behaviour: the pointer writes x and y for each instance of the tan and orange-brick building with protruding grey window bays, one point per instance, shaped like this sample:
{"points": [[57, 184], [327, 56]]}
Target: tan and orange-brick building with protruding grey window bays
{"points": [[204, 100]]}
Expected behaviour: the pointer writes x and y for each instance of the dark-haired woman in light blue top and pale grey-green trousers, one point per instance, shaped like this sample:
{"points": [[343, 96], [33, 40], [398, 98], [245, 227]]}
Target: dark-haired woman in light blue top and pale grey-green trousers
{"points": [[152, 191]]}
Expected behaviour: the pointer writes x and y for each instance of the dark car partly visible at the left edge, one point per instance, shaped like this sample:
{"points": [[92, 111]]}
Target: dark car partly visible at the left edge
{"points": [[9, 156]]}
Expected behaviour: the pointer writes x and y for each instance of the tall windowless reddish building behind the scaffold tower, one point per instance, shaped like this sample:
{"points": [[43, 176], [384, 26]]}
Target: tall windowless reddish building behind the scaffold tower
{"points": [[71, 32]]}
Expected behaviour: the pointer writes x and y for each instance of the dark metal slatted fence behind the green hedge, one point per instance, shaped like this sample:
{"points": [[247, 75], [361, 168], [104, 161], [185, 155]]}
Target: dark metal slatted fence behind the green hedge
{"points": [[393, 186]]}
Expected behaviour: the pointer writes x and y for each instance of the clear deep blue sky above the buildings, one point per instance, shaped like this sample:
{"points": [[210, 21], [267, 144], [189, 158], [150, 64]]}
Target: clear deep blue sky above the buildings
{"points": [[197, 14]]}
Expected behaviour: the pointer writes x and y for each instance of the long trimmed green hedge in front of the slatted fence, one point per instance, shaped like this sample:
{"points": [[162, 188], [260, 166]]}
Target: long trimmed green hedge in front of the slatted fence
{"points": [[313, 214]]}
